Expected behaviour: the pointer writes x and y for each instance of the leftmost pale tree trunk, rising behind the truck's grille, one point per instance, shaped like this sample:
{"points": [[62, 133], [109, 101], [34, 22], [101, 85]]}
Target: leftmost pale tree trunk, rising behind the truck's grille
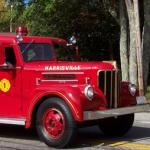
{"points": [[124, 42]]}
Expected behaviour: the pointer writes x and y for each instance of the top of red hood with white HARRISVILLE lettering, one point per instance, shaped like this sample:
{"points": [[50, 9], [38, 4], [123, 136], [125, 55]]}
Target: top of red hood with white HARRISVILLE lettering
{"points": [[69, 66]]}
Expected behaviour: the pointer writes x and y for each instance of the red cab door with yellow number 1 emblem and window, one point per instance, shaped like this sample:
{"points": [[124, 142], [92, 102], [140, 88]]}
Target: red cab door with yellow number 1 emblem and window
{"points": [[10, 85]]}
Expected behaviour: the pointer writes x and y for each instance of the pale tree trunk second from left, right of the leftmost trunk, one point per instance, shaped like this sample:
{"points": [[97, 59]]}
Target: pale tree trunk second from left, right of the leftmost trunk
{"points": [[132, 51]]}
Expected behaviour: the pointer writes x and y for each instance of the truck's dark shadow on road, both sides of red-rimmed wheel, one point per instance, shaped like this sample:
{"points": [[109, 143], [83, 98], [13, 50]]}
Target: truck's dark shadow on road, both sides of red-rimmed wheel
{"points": [[86, 137]]}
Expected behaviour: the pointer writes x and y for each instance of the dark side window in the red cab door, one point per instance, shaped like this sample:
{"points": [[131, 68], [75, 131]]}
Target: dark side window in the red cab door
{"points": [[10, 55]]}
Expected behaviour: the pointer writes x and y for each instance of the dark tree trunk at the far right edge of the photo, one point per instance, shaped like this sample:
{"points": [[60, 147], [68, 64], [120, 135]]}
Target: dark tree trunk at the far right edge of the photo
{"points": [[146, 41]]}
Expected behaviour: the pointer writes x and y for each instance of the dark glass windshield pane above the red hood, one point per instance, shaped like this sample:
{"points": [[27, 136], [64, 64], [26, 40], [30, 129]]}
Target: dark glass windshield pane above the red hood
{"points": [[36, 52]]}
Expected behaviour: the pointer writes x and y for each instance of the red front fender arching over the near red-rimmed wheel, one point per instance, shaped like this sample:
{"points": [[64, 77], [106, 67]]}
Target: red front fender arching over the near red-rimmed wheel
{"points": [[70, 95]]}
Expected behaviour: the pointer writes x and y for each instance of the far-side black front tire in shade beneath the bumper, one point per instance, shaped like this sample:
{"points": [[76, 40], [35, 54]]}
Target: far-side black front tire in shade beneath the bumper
{"points": [[117, 126]]}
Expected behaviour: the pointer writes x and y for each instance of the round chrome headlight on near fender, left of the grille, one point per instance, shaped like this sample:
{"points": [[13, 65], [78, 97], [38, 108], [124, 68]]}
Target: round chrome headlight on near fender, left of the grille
{"points": [[89, 92]]}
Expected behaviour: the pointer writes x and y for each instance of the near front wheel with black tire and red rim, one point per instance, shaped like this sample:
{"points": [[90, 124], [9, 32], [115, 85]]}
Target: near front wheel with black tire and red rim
{"points": [[55, 124]]}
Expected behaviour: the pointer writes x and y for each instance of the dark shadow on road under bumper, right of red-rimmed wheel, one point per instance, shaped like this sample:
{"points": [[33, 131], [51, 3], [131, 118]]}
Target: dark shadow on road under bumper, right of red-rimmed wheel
{"points": [[93, 137]]}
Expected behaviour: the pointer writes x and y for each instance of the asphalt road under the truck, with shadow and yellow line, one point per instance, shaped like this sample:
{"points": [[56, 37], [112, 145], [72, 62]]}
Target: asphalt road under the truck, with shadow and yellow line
{"points": [[18, 138]]}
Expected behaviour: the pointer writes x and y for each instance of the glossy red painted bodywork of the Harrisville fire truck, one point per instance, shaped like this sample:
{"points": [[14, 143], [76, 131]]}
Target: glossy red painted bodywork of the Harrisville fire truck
{"points": [[25, 93]]}
